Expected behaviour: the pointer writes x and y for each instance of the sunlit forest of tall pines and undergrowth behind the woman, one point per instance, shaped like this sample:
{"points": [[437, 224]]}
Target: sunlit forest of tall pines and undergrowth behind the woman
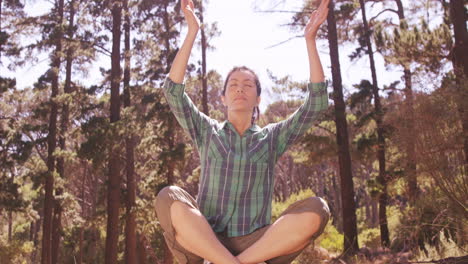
{"points": [[81, 164]]}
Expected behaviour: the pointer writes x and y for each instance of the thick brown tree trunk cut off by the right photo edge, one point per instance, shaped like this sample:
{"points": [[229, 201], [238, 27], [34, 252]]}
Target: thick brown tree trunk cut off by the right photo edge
{"points": [[460, 65]]}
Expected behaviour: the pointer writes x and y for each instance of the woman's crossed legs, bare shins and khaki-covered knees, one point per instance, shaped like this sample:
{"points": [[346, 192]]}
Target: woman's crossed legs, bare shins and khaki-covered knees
{"points": [[292, 232]]}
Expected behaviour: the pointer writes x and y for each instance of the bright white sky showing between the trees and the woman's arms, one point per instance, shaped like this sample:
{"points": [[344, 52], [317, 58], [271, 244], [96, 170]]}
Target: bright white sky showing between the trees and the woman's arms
{"points": [[244, 40]]}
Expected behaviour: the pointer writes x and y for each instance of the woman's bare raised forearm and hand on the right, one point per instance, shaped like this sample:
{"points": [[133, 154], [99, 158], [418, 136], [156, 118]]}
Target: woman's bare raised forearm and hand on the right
{"points": [[310, 33]]}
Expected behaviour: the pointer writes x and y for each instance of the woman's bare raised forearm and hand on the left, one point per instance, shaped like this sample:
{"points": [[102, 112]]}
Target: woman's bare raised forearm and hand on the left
{"points": [[179, 65]]}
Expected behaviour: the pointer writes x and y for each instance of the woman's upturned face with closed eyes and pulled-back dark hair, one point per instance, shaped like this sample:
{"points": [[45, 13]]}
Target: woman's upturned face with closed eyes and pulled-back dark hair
{"points": [[241, 92]]}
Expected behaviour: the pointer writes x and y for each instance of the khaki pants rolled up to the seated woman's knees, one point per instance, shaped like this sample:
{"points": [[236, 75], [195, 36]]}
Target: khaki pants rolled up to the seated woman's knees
{"points": [[235, 245]]}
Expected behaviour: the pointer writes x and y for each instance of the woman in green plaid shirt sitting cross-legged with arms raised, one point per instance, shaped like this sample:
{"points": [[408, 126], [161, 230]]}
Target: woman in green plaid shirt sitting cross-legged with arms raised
{"points": [[230, 220]]}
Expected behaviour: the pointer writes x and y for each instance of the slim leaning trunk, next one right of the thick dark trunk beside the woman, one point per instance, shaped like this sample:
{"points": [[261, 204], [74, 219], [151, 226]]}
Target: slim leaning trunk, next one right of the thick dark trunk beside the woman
{"points": [[384, 234]]}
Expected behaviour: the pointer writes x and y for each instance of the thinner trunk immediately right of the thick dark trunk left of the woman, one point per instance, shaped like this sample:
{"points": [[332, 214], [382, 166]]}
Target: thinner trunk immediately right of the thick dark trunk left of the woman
{"points": [[130, 226]]}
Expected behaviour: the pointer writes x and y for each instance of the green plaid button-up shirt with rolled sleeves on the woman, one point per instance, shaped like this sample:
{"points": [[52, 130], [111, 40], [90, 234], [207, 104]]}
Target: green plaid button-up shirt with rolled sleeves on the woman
{"points": [[236, 184]]}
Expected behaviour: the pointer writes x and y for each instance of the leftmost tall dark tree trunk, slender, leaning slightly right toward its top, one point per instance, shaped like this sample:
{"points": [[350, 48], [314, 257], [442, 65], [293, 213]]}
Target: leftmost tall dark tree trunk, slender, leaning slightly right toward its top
{"points": [[46, 256]]}
